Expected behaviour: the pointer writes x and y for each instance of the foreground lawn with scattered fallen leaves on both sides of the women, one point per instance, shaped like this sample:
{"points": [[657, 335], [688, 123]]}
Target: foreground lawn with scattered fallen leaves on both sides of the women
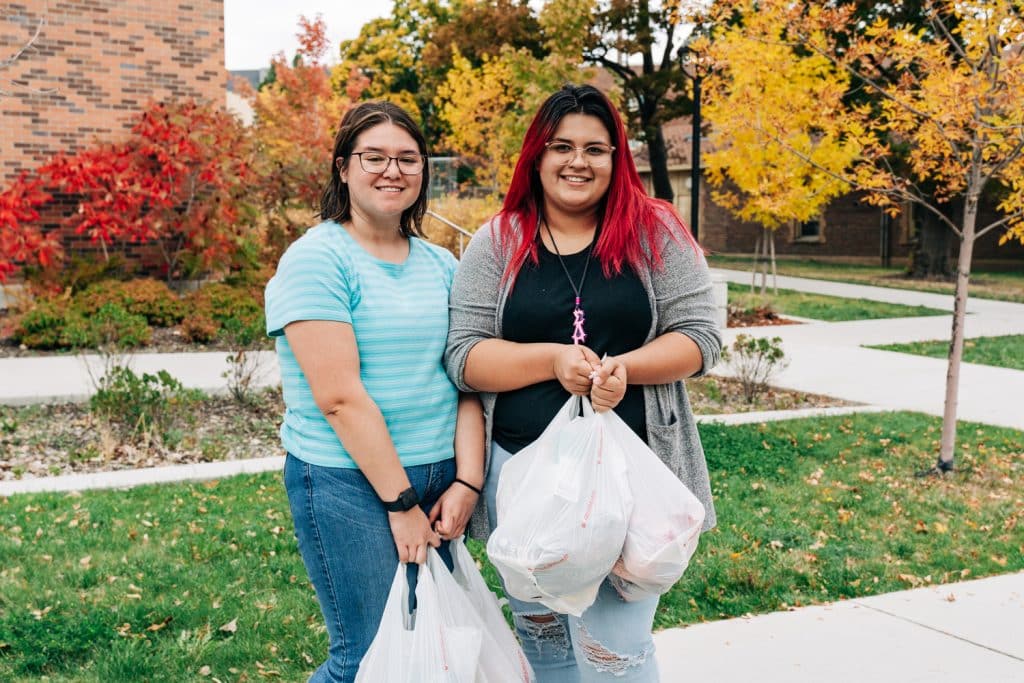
{"points": [[163, 582]]}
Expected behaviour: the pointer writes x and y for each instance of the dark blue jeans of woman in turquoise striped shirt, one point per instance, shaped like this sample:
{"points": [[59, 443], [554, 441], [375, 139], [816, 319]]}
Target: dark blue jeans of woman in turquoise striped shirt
{"points": [[347, 544]]}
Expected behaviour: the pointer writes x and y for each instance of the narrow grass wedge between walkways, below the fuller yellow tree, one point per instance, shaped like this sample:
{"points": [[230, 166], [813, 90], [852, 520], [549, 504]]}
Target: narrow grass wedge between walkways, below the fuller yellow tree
{"points": [[822, 308]]}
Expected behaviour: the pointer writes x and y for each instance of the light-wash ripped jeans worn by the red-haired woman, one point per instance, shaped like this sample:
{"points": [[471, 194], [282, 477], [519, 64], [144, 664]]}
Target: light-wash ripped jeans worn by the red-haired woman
{"points": [[611, 642]]}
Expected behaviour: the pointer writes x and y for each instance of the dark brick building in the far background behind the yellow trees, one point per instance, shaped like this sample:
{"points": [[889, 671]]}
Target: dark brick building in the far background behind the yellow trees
{"points": [[849, 230]]}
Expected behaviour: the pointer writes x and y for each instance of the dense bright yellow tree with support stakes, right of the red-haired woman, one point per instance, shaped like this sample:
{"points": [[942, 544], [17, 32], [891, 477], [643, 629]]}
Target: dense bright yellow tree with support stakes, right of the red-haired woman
{"points": [[762, 101]]}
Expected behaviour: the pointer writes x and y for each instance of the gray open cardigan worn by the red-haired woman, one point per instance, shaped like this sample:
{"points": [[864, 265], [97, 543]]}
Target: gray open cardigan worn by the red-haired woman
{"points": [[680, 297]]}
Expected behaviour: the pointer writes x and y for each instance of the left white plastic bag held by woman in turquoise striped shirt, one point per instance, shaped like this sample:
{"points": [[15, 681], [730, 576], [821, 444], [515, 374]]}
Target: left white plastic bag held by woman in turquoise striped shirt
{"points": [[423, 648]]}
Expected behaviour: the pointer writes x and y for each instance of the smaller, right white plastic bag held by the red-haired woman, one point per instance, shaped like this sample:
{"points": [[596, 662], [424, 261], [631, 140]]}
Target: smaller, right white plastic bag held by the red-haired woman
{"points": [[665, 527]]}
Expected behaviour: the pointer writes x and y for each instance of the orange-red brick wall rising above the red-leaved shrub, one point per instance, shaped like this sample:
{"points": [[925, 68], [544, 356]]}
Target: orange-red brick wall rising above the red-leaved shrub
{"points": [[95, 64]]}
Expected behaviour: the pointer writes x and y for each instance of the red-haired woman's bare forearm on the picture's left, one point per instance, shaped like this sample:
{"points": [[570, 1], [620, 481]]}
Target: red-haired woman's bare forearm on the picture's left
{"points": [[497, 365]]}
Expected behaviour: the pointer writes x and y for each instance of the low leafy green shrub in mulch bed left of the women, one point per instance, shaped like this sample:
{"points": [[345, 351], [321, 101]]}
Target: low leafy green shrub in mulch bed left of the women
{"points": [[147, 405]]}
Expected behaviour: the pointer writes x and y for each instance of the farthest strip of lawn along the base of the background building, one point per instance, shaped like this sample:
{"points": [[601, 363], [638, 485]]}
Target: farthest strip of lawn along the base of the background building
{"points": [[1005, 286]]}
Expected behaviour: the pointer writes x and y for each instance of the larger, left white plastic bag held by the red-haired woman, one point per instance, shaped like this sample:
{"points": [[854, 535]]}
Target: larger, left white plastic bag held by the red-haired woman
{"points": [[564, 506]]}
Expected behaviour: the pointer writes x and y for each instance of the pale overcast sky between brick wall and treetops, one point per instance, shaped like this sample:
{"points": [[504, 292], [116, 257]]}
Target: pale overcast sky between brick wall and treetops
{"points": [[257, 30]]}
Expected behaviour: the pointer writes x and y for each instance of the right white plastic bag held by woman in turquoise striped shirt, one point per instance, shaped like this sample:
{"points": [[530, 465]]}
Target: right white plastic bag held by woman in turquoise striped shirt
{"points": [[465, 601]]}
